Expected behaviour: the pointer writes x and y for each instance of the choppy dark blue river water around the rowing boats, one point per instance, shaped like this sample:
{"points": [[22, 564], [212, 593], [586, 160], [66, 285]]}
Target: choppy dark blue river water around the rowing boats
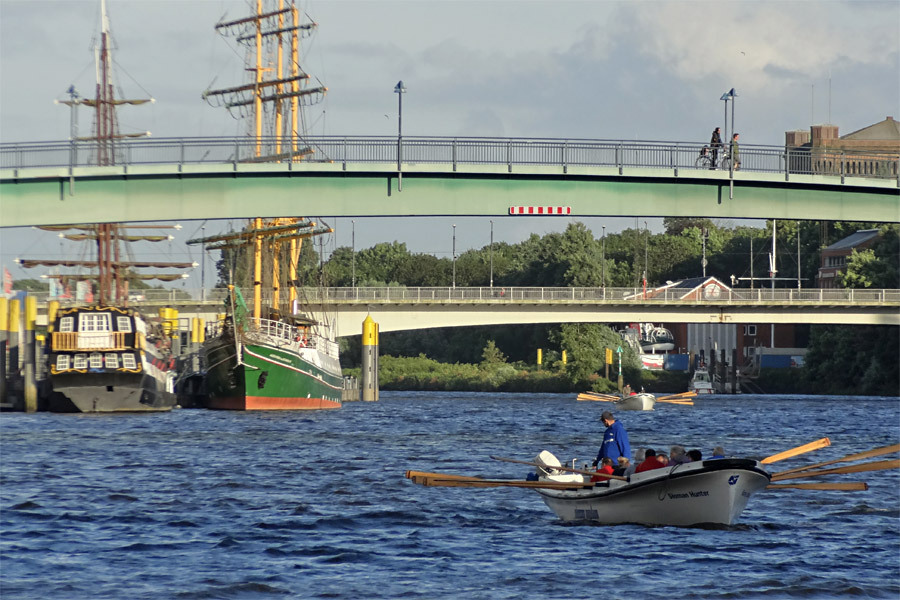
{"points": [[201, 504]]}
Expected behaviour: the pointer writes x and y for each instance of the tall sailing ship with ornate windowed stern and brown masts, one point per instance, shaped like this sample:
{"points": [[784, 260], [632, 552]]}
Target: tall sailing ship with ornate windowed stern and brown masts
{"points": [[104, 356]]}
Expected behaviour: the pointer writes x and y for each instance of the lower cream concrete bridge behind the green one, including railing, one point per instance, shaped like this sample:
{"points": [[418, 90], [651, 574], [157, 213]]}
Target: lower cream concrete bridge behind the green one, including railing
{"points": [[406, 308]]}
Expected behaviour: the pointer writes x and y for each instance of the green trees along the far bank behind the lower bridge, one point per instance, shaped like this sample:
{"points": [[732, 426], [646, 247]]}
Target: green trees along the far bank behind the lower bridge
{"points": [[841, 359]]}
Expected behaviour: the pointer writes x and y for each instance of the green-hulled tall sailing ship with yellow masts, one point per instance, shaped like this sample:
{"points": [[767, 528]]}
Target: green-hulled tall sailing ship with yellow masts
{"points": [[273, 355]]}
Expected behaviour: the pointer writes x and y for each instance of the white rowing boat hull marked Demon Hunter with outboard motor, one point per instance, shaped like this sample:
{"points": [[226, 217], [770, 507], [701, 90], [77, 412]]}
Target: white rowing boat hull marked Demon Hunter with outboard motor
{"points": [[709, 491]]}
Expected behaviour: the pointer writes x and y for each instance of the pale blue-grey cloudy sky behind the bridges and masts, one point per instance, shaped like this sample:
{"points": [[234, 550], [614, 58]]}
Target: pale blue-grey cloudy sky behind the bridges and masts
{"points": [[635, 70]]}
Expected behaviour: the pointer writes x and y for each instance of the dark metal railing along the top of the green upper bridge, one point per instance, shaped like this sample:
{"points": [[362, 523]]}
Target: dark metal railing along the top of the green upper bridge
{"points": [[454, 152]]}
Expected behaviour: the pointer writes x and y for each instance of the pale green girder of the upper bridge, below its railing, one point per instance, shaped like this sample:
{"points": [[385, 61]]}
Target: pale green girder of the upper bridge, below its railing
{"points": [[168, 192]]}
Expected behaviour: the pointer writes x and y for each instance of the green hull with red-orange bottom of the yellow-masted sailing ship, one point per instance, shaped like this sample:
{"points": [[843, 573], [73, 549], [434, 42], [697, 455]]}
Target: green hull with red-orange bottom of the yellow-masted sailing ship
{"points": [[269, 378]]}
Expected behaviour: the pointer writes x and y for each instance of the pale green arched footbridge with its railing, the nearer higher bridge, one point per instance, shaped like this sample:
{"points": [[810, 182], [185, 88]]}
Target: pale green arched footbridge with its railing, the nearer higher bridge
{"points": [[55, 183]]}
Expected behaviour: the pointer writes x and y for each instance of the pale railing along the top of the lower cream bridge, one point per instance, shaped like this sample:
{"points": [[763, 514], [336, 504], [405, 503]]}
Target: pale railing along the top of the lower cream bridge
{"points": [[215, 298]]}
